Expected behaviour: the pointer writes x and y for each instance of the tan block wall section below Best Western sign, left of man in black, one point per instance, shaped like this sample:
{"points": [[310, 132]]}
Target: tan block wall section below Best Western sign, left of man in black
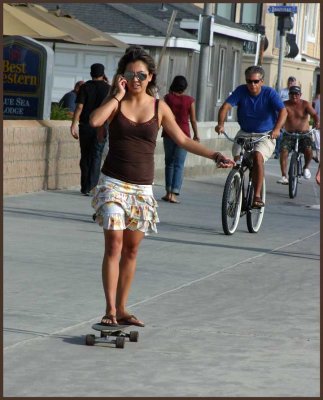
{"points": [[39, 155]]}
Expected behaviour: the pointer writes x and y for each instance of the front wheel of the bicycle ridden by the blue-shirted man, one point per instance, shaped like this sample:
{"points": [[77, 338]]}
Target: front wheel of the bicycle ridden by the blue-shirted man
{"points": [[231, 202]]}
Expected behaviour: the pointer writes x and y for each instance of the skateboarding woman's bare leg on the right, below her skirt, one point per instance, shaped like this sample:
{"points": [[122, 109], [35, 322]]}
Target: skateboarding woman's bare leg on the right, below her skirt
{"points": [[128, 262]]}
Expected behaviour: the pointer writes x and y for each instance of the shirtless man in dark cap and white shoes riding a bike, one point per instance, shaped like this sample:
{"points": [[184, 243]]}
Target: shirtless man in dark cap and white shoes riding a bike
{"points": [[298, 112]]}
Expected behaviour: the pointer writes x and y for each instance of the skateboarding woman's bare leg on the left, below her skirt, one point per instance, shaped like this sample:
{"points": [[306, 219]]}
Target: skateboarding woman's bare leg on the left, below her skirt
{"points": [[110, 270]]}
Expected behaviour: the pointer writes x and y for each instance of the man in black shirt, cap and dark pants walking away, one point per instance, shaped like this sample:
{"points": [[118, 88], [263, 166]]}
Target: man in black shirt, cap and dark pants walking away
{"points": [[89, 97]]}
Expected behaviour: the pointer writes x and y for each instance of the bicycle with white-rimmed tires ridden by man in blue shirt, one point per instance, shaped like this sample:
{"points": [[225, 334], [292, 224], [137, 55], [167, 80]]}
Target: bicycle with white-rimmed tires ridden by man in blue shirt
{"points": [[237, 196]]}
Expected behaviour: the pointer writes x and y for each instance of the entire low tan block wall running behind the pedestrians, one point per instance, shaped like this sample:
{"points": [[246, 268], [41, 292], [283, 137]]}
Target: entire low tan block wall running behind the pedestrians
{"points": [[41, 155]]}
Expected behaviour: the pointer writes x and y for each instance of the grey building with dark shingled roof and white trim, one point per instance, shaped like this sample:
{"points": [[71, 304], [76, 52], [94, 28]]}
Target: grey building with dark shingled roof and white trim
{"points": [[147, 24]]}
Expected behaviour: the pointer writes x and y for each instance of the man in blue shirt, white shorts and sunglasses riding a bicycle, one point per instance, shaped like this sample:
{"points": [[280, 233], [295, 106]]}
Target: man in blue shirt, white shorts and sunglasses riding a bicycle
{"points": [[260, 110]]}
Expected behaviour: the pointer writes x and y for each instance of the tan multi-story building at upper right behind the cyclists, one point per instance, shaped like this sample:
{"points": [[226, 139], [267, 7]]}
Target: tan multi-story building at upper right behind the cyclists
{"points": [[302, 49]]}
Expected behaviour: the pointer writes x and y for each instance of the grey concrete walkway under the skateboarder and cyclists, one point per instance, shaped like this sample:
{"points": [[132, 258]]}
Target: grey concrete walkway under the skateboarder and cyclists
{"points": [[225, 315]]}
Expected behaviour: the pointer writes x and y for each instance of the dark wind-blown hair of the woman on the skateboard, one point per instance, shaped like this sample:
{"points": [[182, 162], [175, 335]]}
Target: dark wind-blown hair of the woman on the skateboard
{"points": [[133, 54]]}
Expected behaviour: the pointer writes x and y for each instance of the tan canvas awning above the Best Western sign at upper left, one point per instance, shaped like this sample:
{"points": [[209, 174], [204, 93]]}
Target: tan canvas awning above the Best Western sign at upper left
{"points": [[37, 22]]}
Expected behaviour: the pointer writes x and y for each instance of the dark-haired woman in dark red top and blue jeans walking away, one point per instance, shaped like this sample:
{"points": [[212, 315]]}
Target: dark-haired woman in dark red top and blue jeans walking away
{"points": [[183, 108]]}
